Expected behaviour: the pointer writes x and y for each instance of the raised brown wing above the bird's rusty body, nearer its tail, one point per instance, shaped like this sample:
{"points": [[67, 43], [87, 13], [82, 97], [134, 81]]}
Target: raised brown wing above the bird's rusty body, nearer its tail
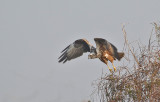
{"points": [[107, 46]]}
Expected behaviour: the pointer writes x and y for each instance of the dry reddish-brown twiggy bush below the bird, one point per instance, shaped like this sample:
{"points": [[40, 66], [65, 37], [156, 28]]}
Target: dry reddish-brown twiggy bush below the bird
{"points": [[139, 82]]}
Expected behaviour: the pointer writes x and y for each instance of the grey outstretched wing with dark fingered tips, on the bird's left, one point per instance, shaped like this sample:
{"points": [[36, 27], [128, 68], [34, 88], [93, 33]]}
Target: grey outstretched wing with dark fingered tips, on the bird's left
{"points": [[75, 50]]}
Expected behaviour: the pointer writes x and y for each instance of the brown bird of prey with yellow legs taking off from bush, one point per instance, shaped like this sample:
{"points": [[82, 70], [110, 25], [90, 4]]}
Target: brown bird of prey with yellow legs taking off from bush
{"points": [[104, 51]]}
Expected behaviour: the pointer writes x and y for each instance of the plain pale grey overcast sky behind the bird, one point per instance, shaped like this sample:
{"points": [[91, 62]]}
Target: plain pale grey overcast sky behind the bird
{"points": [[34, 32]]}
